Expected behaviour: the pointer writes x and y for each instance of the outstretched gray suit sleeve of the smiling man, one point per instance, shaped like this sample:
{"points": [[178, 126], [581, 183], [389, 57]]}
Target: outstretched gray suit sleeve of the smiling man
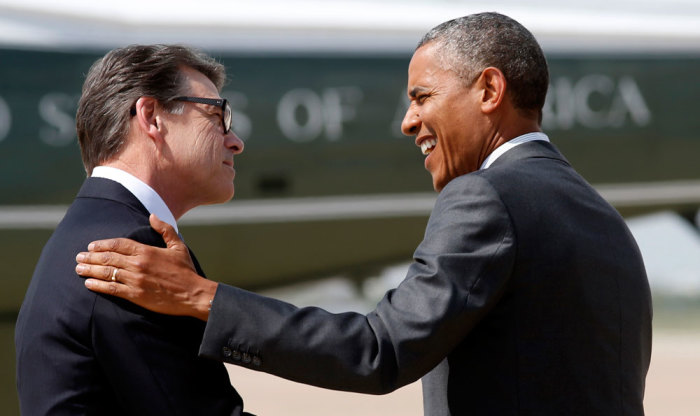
{"points": [[459, 272]]}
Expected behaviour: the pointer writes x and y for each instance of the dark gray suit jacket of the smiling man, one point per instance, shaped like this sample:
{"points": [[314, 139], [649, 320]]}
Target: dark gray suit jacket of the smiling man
{"points": [[527, 296]]}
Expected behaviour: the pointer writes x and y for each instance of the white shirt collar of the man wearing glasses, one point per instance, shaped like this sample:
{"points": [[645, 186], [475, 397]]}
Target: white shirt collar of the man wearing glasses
{"points": [[144, 193]]}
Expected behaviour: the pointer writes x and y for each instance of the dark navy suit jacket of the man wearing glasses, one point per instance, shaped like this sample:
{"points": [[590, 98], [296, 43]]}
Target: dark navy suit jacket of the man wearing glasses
{"points": [[82, 353]]}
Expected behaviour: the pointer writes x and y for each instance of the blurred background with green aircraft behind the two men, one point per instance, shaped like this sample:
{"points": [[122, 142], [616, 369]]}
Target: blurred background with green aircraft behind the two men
{"points": [[331, 200]]}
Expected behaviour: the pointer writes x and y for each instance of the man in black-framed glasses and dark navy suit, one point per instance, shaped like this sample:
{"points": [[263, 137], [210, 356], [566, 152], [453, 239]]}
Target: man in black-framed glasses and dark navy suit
{"points": [[150, 145]]}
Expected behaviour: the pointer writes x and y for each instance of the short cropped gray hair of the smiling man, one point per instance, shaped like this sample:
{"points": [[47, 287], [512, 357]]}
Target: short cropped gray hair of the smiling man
{"points": [[470, 44]]}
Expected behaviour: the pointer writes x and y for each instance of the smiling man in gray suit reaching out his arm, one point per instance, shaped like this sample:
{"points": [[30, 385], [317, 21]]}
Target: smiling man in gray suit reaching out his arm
{"points": [[527, 296]]}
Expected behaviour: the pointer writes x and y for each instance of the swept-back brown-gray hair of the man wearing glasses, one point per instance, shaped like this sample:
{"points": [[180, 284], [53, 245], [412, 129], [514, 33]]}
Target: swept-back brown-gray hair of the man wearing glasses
{"points": [[116, 81]]}
